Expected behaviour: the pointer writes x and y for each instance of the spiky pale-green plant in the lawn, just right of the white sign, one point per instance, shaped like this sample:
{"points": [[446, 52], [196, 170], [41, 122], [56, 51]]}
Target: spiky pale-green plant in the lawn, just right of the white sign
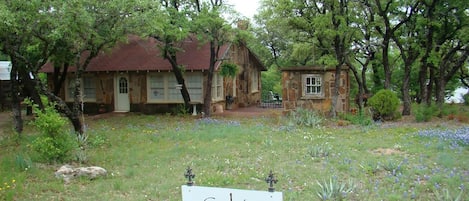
{"points": [[334, 189]]}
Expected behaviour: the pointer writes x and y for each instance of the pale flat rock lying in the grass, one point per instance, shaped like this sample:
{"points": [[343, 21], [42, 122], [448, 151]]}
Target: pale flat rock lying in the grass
{"points": [[68, 172]]}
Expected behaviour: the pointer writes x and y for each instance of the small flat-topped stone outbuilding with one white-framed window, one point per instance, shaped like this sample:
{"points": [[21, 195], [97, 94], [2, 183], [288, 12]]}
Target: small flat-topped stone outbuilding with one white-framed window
{"points": [[311, 87]]}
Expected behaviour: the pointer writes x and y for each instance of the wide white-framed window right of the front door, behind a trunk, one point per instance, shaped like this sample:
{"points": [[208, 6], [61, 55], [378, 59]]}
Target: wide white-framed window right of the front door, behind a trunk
{"points": [[164, 88]]}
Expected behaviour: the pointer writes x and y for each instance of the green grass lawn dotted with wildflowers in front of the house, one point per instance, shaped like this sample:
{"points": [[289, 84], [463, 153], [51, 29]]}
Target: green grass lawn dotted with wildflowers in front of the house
{"points": [[147, 155]]}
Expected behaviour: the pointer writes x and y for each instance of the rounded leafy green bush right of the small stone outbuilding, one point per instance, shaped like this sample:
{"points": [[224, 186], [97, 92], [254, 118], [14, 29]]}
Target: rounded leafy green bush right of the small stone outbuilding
{"points": [[384, 104]]}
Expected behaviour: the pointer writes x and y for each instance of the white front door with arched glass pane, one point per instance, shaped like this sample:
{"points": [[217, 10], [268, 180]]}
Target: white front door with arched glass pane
{"points": [[122, 93]]}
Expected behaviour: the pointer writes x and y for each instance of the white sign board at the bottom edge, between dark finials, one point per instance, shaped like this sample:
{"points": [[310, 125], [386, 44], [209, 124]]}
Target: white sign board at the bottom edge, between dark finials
{"points": [[200, 193]]}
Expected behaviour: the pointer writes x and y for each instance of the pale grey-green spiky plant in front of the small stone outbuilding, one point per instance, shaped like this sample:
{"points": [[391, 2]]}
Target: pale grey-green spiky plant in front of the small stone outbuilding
{"points": [[304, 117]]}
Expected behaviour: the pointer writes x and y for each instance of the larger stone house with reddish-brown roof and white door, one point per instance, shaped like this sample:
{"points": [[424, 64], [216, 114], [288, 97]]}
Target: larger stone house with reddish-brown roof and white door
{"points": [[134, 77]]}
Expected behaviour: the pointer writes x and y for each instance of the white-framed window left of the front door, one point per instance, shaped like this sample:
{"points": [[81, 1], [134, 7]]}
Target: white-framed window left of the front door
{"points": [[87, 89]]}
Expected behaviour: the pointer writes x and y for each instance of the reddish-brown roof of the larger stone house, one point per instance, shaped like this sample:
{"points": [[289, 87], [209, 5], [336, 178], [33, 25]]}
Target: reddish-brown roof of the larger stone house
{"points": [[144, 55]]}
